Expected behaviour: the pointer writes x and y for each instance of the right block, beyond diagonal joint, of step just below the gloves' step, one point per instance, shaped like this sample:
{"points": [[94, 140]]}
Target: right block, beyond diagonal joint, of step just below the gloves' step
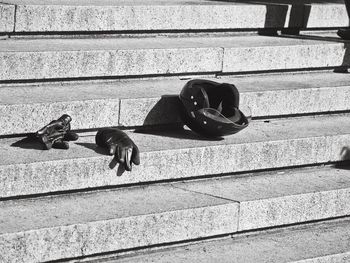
{"points": [[282, 197]]}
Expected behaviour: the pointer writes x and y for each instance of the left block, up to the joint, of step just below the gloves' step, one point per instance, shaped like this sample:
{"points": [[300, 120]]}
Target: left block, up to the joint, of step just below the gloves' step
{"points": [[77, 225]]}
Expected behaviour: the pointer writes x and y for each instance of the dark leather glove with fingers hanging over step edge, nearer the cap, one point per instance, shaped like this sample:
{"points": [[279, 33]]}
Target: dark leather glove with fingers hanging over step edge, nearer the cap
{"points": [[120, 145]]}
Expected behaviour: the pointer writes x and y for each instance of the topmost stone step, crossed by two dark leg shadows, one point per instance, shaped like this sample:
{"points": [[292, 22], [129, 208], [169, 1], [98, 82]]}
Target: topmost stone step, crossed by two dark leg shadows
{"points": [[130, 15]]}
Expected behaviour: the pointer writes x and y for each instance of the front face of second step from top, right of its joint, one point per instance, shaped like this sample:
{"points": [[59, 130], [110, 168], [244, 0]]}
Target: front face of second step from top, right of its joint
{"points": [[285, 57]]}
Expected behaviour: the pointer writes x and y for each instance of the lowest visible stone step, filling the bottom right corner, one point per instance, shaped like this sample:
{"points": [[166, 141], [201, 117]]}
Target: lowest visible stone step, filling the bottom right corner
{"points": [[312, 243]]}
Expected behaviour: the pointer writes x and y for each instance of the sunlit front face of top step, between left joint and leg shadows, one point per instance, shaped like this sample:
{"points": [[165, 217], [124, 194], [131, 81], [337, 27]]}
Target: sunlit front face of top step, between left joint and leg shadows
{"points": [[116, 16]]}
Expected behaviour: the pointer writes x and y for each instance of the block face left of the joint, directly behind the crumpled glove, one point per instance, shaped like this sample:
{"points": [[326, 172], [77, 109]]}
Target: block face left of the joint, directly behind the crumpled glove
{"points": [[25, 118]]}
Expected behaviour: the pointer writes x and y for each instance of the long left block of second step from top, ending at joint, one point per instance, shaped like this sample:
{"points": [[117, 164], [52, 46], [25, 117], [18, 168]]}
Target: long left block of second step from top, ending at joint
{"points": [[104, 57]]}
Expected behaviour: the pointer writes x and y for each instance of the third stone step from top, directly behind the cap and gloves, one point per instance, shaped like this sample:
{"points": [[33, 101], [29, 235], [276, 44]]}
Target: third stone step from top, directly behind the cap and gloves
{"points": [[27, 108]]}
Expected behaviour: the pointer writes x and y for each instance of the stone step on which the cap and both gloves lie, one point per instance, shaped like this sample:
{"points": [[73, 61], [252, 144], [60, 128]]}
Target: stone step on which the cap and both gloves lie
{"points": [[169, 155]]}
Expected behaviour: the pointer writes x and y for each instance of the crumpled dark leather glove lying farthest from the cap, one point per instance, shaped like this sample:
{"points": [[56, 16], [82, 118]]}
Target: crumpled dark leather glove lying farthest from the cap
{"points": [[57, 133]]}
